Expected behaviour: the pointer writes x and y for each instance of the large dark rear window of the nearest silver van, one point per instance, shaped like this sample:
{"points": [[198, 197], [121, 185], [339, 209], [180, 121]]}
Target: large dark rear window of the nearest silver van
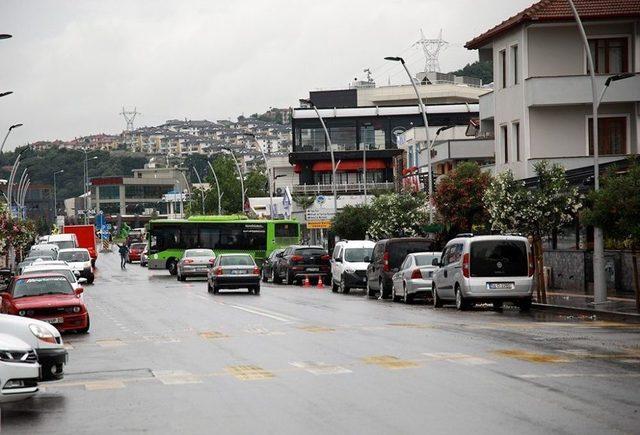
{"points": [[499, 258]]}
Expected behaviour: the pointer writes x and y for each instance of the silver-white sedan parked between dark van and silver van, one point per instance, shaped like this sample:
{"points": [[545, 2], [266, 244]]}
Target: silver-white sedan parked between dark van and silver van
{"points": [[414, 277]]}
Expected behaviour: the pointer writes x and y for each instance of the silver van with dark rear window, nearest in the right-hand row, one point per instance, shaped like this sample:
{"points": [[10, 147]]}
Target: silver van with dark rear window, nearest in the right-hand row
{"points": [[491, 269]]}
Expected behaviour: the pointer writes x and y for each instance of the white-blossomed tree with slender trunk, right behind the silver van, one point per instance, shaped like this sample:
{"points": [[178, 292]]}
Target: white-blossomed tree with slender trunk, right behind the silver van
{"points": [[535, 212]]}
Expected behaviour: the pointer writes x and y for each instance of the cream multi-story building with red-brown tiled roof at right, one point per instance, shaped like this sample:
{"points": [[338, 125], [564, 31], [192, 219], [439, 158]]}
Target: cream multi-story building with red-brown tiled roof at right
{"points": [[540, 108]]}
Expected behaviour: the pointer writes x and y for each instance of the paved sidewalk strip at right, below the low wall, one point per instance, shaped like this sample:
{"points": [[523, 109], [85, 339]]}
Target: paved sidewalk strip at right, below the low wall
{"points": [[615, 305]]}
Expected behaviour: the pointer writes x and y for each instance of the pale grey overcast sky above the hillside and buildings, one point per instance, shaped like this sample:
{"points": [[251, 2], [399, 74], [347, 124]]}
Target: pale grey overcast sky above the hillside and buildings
{"points": [[73, 64]]}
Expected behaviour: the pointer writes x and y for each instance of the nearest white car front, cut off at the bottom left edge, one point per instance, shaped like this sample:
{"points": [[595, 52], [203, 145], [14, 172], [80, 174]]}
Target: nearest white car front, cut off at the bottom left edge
{"points": [[19, 369]]}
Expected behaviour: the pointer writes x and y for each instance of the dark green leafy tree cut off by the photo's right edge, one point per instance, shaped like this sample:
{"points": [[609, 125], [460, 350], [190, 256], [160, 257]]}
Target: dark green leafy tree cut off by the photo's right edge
{"points": [[616, 209]]}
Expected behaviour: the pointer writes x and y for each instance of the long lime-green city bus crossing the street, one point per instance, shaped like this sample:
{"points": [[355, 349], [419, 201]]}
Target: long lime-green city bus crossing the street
{"points": [[168, 238]]}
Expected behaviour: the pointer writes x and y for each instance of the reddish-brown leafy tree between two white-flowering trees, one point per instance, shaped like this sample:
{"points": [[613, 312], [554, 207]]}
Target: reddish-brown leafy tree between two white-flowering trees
{"points": [[459, 199]]}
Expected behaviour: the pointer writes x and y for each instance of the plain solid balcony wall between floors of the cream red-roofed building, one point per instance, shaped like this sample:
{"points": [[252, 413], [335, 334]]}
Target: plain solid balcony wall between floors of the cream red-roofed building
{"points": [[564, 90]]}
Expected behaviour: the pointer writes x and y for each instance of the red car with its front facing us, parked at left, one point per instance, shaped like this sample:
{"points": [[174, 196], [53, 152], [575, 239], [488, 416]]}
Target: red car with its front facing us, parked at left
{"points": [[48, 297]]}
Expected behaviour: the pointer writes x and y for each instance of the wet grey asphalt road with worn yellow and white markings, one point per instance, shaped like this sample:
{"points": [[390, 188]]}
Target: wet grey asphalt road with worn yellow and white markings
{"points": [[167, 357]]}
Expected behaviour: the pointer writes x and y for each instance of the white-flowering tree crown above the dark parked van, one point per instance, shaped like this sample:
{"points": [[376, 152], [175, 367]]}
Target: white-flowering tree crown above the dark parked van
{"points": [[398, 215]]}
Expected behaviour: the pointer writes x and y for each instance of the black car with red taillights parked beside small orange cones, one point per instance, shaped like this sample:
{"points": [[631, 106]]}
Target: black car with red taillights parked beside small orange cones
{"points": [[300, 261]]}
